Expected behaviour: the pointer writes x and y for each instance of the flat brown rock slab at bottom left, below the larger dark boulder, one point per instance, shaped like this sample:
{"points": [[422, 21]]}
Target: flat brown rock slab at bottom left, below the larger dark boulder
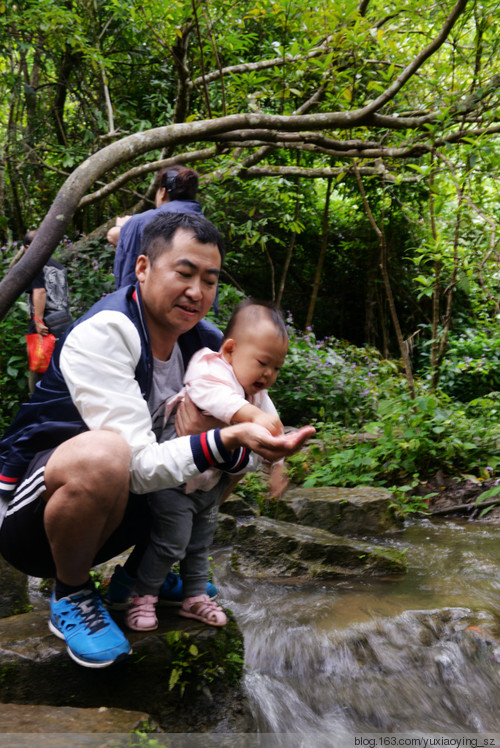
{"points": [[26, 718]]}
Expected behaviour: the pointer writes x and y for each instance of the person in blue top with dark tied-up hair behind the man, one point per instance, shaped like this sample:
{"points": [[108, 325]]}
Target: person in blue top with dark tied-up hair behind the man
{"points": [[176, 189]]}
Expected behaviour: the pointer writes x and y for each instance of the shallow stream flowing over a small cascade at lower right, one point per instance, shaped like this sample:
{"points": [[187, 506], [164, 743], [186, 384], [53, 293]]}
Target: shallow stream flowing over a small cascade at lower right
{"points": [[379, 656]]}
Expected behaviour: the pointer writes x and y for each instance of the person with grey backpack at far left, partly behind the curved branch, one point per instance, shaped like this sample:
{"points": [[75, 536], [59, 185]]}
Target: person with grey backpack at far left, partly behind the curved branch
{"points": [[48, 302]]}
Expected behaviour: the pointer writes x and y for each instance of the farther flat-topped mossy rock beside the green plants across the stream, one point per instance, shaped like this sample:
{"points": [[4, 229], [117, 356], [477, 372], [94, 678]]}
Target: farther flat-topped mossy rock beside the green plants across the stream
{"points": [[344, 511]]}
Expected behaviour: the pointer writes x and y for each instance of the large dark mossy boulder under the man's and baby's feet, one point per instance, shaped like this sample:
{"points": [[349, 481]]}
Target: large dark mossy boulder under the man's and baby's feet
{"points": [[35, 669]]}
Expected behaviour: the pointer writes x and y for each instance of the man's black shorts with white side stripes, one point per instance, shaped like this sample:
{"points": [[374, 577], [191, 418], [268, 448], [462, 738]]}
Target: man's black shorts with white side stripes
{"points": [[23, 542]]}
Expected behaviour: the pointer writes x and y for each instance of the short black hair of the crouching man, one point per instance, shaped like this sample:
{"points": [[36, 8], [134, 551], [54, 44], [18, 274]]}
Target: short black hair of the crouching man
{"points": [[161, 230]]}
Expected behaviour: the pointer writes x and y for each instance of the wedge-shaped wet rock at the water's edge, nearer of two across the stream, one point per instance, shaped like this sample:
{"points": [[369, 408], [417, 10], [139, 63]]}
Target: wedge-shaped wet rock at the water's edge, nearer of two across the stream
{"points": [[267, 548]]}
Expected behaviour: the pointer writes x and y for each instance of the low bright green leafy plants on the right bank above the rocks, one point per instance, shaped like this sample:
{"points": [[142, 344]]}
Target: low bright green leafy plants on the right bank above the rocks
{"points": [[408, 441]]}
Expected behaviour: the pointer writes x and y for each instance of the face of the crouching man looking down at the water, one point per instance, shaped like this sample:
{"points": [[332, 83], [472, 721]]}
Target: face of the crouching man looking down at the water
{"points": [[179, 288]]}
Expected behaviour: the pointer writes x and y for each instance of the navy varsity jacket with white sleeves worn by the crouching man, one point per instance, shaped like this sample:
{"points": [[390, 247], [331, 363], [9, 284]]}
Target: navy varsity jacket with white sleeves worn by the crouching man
{"points": [[100, 377]]}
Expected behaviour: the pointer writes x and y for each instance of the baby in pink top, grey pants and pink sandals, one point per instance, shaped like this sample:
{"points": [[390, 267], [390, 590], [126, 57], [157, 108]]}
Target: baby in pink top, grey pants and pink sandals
{"points": [[230, 385]]}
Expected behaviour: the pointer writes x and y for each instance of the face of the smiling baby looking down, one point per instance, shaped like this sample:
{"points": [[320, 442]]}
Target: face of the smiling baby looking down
{"points": [[256, 356]]}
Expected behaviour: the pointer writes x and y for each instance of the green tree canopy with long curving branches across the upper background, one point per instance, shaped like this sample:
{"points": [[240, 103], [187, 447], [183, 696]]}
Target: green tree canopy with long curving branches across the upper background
{"points": [[384, 108]]}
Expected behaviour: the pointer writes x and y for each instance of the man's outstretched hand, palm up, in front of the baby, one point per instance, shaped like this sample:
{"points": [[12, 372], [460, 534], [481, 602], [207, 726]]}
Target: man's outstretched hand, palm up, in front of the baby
{"points": [[266, 445]]}
